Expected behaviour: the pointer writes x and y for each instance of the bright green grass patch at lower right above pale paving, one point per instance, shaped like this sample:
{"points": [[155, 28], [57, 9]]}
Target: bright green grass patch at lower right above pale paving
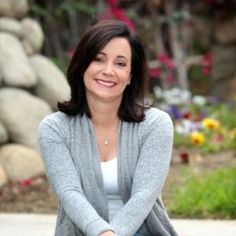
{"points": [[211, 195]]}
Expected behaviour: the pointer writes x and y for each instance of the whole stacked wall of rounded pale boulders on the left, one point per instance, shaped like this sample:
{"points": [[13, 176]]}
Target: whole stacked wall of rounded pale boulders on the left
{"points": [[30, 87]]}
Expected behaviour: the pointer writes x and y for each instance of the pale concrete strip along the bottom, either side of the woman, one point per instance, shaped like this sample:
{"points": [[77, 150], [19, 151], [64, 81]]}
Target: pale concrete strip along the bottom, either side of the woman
{"points": [[43, 225]]}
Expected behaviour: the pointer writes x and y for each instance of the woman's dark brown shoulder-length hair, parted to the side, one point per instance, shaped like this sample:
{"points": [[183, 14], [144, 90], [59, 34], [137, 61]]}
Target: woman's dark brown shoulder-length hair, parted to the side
{"points": [[95, 38]]}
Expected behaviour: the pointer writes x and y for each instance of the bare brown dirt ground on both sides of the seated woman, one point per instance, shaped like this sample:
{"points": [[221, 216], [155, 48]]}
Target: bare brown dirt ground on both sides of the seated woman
{"points": [[35, 196]]}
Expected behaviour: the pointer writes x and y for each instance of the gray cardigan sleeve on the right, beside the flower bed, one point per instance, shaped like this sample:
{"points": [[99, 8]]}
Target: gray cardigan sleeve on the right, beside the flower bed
{"points": [[149, 176]]}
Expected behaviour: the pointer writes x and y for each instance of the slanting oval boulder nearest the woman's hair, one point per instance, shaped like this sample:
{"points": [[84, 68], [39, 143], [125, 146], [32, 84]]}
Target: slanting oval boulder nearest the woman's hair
{"points": [[52, 85]]}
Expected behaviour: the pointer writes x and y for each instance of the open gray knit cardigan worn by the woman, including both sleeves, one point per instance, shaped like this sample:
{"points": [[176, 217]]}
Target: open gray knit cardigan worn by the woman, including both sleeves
{"points": [[71, 158]]}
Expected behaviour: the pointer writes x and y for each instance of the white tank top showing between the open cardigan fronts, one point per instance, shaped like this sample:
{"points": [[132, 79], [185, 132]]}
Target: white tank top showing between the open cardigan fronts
{"points": [[109, 173]]}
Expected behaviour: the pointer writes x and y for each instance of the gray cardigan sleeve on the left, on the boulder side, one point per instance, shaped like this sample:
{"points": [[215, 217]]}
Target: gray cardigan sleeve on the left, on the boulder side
{"points": [[65, 181]]}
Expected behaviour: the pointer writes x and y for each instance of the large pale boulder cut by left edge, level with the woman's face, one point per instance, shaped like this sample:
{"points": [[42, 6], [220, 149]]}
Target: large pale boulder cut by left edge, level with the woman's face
{"points": [[14, 64]]}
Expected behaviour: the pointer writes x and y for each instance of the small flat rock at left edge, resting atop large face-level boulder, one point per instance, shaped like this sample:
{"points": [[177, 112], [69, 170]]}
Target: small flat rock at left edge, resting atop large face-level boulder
{"points": [[10, 25]]}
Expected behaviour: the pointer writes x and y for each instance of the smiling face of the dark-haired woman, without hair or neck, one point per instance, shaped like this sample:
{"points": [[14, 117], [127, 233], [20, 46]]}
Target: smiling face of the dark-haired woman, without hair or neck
{"points": [[109, 73]]}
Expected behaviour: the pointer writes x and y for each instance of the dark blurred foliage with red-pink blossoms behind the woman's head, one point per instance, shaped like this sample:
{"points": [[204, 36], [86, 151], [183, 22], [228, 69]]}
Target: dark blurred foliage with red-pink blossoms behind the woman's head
{"points": [[184, 40]]}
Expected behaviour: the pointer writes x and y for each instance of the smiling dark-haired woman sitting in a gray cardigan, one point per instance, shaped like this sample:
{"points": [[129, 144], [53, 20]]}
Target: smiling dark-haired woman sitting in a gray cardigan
{"points": [[106, 154]]}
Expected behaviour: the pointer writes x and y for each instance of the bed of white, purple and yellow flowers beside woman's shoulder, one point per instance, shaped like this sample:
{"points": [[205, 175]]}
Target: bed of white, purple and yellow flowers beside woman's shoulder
{"points": [[199, 122]]}
